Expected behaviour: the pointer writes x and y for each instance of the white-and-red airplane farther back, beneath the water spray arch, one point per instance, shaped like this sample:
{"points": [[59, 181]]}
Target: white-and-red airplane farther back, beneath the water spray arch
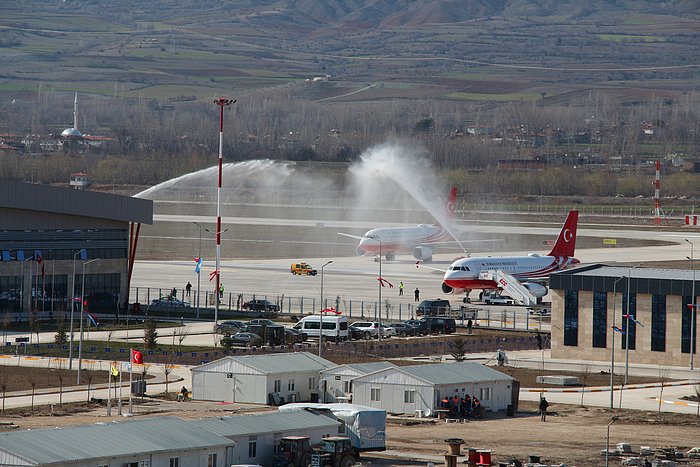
{"points": [[419, 240]]}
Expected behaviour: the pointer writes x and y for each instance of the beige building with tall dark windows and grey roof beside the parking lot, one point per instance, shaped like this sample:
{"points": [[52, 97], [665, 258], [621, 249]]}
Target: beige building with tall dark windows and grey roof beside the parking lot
{"points": [[591, 303]]}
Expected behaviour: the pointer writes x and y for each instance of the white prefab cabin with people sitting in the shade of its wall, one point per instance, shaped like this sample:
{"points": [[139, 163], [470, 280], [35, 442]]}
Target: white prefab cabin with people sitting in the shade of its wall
{"points": [[408, 389]]}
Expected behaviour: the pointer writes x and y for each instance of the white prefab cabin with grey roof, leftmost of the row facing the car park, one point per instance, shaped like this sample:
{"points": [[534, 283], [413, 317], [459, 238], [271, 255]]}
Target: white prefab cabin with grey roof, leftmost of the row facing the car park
{"points": [[260, 379]]}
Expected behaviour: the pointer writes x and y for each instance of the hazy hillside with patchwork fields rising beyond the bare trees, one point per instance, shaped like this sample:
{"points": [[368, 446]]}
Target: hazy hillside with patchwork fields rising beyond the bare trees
{"points": [[443, 48]]}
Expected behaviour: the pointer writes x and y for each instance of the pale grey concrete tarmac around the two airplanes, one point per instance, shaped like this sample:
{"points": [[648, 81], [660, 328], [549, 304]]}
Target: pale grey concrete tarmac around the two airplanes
{"points": [[355, 278]]}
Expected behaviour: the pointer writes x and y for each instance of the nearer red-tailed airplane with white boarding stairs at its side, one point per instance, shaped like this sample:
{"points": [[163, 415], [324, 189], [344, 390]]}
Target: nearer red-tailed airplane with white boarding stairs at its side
{"points": [[514, 272]]}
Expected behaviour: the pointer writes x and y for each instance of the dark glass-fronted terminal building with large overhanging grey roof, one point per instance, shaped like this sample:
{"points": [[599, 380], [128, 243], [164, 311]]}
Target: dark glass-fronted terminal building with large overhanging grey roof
{"points": [[51, 238]]}
